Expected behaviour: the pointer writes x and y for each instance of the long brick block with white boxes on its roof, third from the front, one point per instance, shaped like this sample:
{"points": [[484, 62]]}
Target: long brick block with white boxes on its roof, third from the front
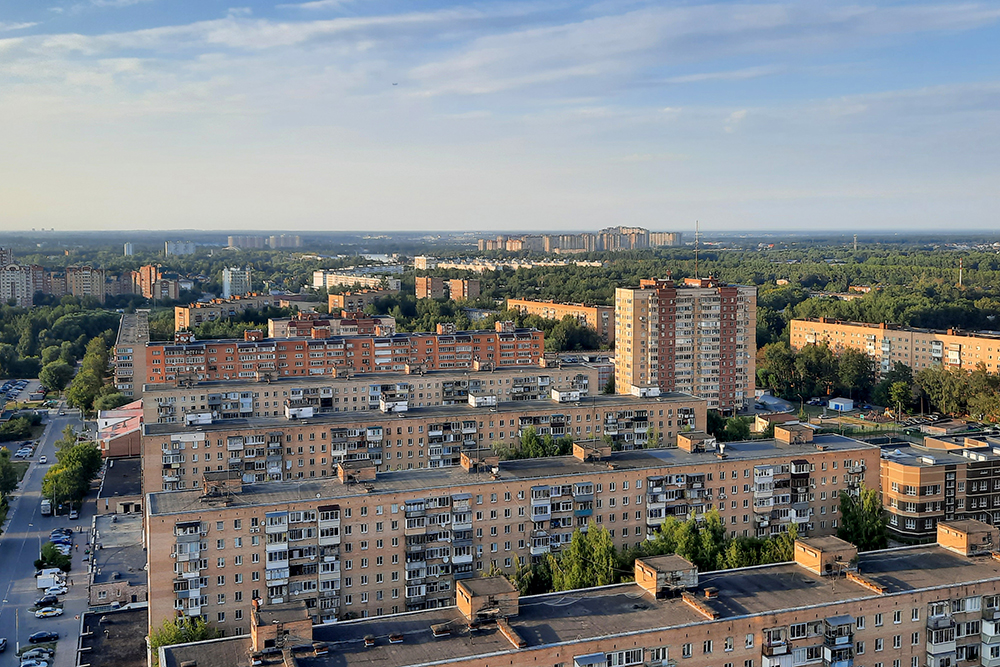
{"points": [[268, 449]]}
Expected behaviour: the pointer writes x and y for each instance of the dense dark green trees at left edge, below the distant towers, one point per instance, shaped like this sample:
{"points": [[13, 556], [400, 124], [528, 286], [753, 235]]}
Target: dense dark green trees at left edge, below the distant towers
{"points": [[31, 337]]}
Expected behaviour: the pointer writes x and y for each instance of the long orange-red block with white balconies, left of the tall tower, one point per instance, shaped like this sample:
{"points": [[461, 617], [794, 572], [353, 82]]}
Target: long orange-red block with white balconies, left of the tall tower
{"points": [[186, 359]]}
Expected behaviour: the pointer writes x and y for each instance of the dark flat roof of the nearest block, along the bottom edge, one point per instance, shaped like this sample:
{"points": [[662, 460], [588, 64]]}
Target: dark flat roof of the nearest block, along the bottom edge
{"points": [[573, 617]]}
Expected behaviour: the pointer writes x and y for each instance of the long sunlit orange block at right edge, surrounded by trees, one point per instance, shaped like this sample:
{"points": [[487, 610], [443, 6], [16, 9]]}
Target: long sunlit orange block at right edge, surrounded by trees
{"points": [[889, 343]]}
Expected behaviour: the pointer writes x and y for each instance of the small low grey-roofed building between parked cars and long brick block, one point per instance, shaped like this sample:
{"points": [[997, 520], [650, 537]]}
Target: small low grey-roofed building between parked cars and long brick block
{"points": [[118, 567]]}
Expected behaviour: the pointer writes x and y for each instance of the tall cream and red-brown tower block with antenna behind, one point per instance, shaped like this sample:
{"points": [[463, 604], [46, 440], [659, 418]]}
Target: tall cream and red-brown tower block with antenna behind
{"points": [[699, 337]]}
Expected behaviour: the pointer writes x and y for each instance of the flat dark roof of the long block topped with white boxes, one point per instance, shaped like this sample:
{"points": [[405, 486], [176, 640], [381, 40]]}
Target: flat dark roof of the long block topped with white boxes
{"points": [[449, 412]]}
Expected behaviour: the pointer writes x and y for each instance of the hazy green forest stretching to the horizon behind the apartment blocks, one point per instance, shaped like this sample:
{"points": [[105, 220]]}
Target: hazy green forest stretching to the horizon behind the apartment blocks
{"points": [[913, 284]]}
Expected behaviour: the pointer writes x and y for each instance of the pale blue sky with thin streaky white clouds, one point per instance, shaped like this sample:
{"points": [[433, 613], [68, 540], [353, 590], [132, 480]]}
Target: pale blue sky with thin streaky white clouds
{"points": [[365, 115]]}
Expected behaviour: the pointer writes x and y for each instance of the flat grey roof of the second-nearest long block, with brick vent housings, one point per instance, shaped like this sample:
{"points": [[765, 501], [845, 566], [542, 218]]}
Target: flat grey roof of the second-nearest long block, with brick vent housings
{"points": [[271, 493]]}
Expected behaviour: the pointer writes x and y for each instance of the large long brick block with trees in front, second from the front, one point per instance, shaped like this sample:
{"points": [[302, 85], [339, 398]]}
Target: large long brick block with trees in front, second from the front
{"points": [[368, 544]]}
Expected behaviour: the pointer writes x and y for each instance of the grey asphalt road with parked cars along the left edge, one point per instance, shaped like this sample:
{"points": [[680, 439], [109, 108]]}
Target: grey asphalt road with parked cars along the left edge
{"points": [[25, 532]]}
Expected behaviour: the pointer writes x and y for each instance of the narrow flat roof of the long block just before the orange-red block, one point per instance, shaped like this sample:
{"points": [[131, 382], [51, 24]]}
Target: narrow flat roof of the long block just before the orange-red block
{"points": [[376, 378]]}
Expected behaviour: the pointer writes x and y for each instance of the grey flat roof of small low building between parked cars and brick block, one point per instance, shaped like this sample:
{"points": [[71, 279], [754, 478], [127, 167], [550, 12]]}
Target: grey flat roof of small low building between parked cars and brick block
{"points": [[121, 552]]}
